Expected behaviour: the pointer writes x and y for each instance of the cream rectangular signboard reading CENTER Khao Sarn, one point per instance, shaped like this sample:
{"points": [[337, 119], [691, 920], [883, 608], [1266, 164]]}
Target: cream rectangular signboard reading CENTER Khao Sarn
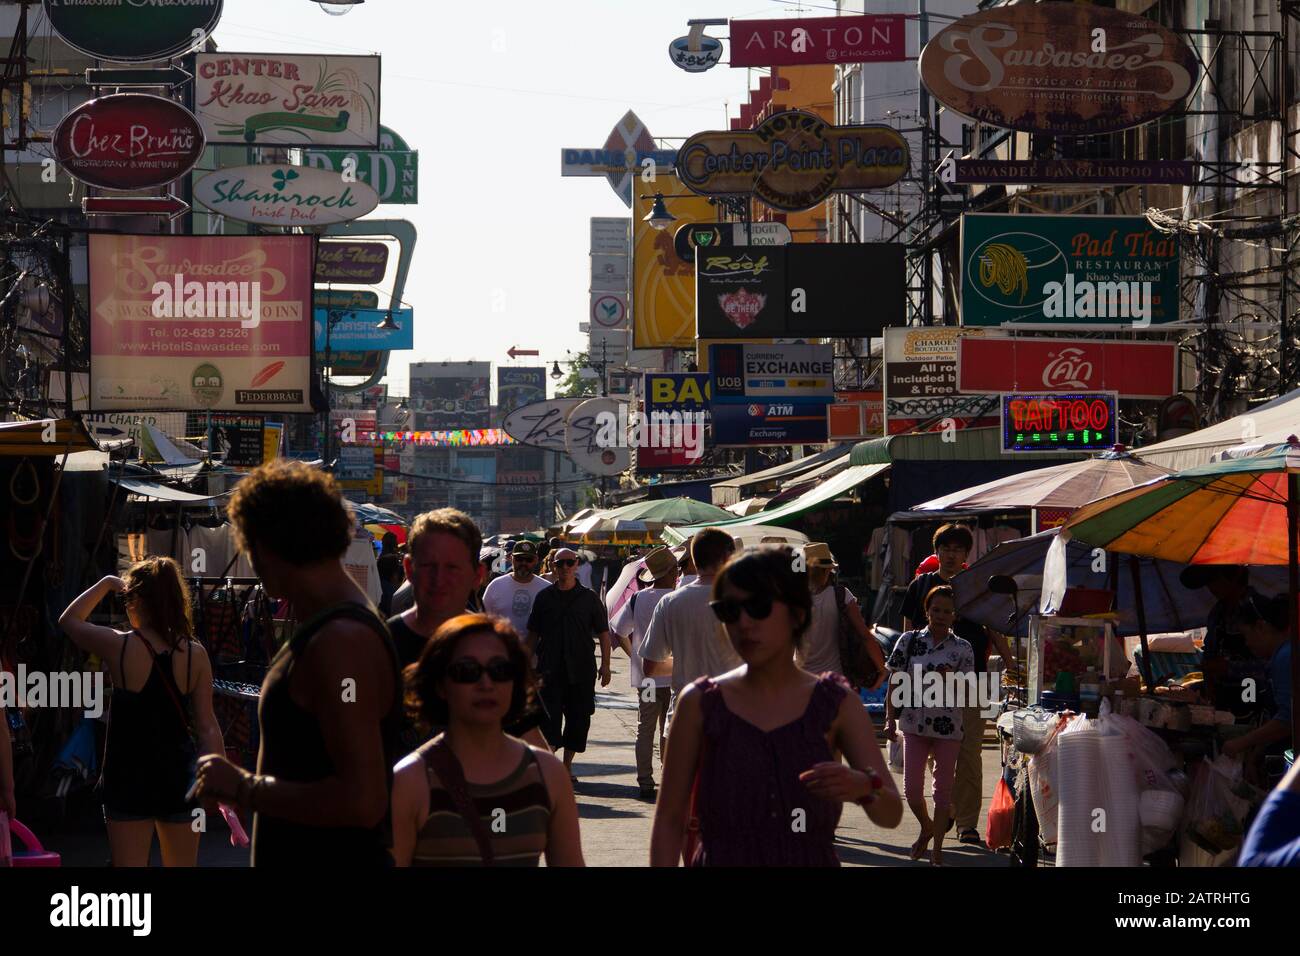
{"points": [[288, 100]]}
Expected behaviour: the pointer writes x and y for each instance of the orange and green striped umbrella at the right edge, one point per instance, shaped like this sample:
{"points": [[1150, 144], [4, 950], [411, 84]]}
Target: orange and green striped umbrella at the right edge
{"points": [[1237, 512]]}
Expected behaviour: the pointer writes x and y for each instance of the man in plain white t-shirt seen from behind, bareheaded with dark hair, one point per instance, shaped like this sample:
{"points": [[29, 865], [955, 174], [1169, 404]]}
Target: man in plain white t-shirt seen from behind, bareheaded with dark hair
{"points": [[684, 628]]}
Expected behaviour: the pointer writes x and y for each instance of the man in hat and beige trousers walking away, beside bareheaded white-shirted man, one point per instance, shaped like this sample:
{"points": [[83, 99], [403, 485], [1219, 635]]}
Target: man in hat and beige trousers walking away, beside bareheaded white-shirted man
{"points": [[630, 628]]}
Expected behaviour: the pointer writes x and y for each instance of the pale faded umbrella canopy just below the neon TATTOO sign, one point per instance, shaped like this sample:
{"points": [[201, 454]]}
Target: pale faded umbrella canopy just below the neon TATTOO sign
{"points": [[1068, 486]]}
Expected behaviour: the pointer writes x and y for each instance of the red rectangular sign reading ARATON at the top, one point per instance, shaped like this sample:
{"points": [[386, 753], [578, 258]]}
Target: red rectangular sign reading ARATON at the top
{"points": [[818, 41]]}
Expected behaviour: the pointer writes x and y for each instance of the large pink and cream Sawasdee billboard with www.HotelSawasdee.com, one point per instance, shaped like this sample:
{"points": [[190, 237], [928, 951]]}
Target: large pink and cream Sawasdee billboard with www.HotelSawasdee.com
{"points": [[197, 323]]}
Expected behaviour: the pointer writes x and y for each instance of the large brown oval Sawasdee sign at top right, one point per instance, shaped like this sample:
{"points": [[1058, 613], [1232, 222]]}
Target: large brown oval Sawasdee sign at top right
{"points": [[1059, 68]]}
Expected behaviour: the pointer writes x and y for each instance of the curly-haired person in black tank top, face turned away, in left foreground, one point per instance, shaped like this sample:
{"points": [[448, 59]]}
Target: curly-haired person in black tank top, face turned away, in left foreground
{"points": [[331, 704]]}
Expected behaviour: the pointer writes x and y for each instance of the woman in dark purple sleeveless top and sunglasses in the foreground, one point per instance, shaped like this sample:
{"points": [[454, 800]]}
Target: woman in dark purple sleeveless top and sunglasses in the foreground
{"points": [[753, 755]]}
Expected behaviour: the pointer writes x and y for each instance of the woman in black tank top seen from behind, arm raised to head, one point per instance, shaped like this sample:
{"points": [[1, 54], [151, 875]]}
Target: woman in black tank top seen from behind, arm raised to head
{"points": [[162, 712]]}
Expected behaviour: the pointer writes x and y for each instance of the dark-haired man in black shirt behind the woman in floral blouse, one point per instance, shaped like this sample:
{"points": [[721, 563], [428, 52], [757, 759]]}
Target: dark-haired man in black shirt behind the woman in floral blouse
{"points": [[954, 546]]}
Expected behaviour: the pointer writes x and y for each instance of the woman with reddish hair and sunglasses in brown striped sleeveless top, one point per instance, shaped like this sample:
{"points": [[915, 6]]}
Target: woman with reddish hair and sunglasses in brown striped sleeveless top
{"points": [[474, 795]]}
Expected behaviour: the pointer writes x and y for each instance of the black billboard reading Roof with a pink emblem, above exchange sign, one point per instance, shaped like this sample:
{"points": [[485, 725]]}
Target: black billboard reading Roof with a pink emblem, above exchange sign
{"points": [[822, 289]]}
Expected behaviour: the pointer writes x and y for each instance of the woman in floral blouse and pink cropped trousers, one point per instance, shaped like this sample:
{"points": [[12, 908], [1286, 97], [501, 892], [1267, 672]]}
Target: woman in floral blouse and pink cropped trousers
{"points": [[931, 730]]}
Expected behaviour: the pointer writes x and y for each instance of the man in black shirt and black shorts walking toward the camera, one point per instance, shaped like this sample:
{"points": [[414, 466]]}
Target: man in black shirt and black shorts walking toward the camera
{"points": [[561, 629]]}
